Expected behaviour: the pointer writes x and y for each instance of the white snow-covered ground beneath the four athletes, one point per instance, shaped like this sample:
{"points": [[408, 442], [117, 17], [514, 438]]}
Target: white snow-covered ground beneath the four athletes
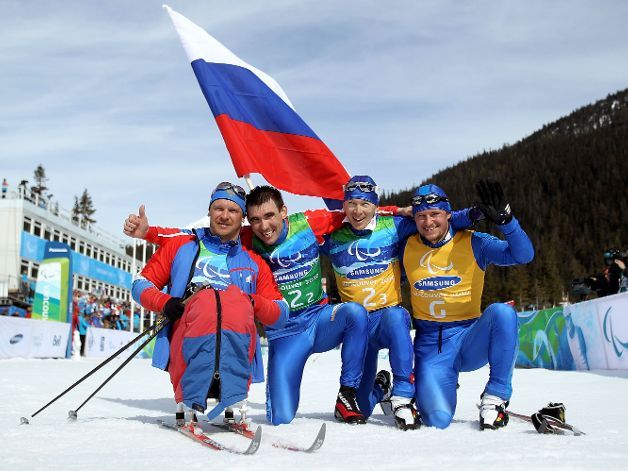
{"points": [[117, 429]]}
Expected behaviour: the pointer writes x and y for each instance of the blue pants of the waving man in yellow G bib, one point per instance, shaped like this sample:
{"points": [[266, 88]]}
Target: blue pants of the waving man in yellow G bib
{"points": [[440, 355]]}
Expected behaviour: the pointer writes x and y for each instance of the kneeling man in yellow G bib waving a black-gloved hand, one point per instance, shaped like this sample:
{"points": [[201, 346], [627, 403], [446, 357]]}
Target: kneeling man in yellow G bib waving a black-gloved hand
{"points": [[445, 269]]}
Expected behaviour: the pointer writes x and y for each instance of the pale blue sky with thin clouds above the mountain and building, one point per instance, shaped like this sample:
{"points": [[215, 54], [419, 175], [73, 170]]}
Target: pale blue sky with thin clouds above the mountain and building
{"points": [[102, 95]]}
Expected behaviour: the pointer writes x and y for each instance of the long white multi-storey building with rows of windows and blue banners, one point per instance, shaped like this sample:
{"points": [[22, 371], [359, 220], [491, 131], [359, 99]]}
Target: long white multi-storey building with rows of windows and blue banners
{"points": [[99, 260]]}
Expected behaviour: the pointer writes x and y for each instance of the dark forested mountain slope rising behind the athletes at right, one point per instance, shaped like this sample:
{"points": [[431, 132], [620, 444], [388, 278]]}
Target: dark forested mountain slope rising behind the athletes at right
{"points": [[567, 185]]}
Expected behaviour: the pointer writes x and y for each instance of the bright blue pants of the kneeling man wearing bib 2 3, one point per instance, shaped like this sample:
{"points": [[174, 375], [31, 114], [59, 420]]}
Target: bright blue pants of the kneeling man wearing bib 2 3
{"points": [[388, 328]]}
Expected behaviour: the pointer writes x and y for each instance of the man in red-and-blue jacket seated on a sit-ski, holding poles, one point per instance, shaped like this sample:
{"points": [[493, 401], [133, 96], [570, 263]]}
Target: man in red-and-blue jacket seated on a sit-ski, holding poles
{"points": [[210, 256]]}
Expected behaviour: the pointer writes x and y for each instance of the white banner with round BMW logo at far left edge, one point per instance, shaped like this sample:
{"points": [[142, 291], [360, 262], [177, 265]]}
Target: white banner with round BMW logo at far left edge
{"points": [[30, 338]]}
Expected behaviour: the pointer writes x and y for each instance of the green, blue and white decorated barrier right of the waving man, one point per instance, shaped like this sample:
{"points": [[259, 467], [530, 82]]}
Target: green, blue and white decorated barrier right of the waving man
{"points": [[584, 336]]}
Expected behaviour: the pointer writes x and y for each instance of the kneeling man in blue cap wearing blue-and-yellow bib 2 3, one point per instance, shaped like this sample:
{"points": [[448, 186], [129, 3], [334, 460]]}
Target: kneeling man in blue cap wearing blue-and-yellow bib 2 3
{"points": [[365, 258]]}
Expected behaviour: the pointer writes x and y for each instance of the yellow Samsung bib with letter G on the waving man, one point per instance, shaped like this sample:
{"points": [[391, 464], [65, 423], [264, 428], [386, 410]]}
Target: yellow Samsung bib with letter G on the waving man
{"points": [[446, 282]]}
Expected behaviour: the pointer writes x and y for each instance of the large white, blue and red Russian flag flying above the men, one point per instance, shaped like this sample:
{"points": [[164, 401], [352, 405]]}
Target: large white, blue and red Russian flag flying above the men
{"points": [[262, 131]]}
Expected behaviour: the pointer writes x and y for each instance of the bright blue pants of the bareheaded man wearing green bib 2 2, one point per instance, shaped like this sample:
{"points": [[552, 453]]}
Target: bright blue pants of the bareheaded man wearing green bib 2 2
{"points": [[345, 323]]}
